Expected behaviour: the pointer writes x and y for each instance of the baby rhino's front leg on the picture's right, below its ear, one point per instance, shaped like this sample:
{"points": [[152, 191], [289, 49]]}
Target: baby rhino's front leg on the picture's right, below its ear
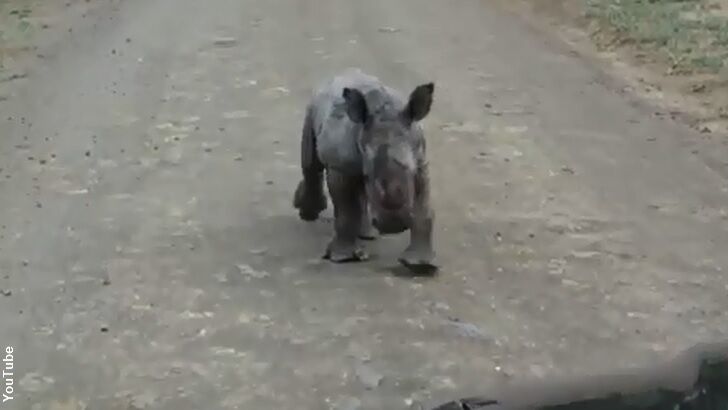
{"points": [[420, 255]]}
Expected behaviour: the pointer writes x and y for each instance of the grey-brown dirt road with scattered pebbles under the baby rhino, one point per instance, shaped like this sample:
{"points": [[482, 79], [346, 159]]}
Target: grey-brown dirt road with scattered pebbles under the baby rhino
{"points": [[151, 257]]}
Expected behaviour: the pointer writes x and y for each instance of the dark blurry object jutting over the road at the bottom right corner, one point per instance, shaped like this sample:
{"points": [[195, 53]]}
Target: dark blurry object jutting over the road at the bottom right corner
{"points": [[695, 380]]}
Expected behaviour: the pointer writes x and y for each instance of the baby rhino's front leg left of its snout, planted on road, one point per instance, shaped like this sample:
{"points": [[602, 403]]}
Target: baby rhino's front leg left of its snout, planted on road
{"points": [[345, 192]]}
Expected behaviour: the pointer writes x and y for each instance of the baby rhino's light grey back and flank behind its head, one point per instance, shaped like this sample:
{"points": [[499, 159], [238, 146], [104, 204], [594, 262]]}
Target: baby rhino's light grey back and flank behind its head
{"points": [[336, 134]]}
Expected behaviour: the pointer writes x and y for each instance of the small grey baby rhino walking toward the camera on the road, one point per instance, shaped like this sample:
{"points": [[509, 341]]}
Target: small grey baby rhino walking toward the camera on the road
{"points": [[368, 139]]}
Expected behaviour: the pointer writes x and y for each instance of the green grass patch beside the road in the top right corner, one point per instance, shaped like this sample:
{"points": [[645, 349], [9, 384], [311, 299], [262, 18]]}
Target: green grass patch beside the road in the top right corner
{"points": [[691, 36]]}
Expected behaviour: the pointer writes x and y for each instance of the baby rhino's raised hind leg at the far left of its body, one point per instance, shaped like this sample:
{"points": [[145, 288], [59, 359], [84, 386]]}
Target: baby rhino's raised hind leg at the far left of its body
{"points": [[310, 198]]}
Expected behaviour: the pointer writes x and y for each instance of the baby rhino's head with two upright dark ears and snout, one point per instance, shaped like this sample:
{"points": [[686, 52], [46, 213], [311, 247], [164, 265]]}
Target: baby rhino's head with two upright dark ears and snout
{"points": [[390, 143]]}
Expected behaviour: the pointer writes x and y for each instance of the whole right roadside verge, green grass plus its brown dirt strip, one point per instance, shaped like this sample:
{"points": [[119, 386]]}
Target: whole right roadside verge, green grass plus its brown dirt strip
{"points": [[672, 52]]}
